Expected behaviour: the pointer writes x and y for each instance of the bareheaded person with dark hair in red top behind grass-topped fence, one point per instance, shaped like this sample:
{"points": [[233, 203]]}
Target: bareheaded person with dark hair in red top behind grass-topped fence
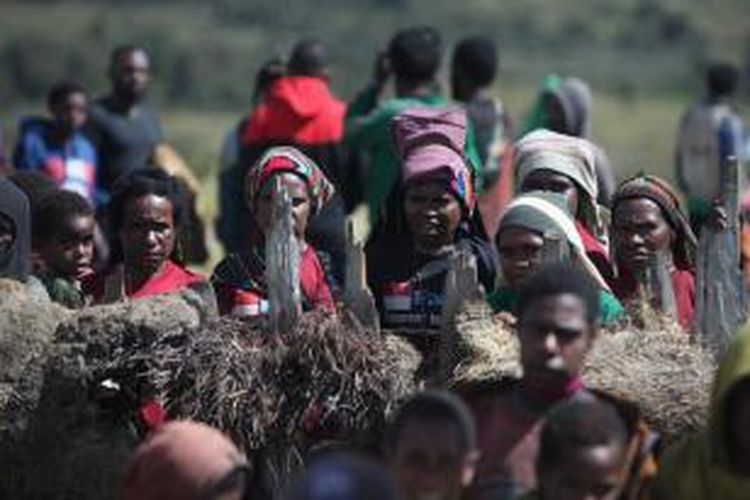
{"points": [[145, 213]]}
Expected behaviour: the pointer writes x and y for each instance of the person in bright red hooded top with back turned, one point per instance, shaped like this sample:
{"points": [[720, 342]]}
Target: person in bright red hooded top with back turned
{"points": [[299, 110]]}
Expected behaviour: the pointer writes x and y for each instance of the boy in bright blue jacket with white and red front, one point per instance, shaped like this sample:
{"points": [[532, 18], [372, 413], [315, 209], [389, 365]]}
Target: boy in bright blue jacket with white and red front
{"points": [[57, 147]]}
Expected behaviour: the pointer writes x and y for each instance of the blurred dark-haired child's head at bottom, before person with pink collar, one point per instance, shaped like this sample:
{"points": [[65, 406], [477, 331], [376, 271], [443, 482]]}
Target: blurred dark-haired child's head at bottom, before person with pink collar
{"points": [[582, 452]]}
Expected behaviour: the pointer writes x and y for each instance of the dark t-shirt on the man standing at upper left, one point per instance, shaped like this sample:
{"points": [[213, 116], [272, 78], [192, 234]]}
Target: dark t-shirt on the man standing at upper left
{"points": [[124, 140]]}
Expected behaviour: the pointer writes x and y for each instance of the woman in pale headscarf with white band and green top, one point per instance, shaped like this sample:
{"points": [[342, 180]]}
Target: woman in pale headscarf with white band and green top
{"points": [[535, 231]]}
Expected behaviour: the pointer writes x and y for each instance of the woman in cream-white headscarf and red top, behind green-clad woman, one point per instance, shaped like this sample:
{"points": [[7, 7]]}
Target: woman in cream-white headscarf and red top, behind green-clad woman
{"points": [[549, 161]]}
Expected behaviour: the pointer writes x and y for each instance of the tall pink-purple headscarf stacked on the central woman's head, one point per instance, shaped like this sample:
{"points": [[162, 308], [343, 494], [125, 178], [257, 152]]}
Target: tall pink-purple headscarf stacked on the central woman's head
{"points": [[430, 143]]}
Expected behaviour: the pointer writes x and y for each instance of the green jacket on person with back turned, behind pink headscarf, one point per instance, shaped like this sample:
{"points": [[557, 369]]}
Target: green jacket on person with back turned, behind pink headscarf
{"points": [[368, 130]]}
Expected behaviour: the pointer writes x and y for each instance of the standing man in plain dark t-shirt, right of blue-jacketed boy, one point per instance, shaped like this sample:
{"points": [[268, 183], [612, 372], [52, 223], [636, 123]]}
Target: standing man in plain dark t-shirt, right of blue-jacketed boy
{"points": [[124, 126]]}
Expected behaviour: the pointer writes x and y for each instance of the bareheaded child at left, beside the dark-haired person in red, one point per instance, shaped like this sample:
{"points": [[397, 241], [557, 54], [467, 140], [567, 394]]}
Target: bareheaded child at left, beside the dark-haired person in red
{"points": [[64, 238]]}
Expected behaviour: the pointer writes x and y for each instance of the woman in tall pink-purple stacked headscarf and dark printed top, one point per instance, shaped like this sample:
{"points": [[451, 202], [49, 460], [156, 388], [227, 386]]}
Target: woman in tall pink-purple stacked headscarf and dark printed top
{"points": [[407, 275]]}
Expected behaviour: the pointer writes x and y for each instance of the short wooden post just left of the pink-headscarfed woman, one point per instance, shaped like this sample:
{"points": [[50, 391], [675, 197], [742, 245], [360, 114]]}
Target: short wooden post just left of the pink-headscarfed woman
{"points": [[357, 295]]}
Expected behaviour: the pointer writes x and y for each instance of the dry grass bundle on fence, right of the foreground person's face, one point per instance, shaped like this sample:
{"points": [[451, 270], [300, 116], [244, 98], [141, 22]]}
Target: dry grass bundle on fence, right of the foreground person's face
{"points": [[662, 371]]}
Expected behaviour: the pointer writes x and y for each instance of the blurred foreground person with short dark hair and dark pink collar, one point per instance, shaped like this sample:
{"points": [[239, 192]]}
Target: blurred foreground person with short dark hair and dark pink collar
{"points": [[557, 325]]}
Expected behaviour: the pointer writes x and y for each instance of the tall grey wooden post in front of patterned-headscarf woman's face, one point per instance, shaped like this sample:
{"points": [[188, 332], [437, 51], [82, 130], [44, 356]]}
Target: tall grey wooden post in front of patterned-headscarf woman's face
{"points": [[282, 264]]}
